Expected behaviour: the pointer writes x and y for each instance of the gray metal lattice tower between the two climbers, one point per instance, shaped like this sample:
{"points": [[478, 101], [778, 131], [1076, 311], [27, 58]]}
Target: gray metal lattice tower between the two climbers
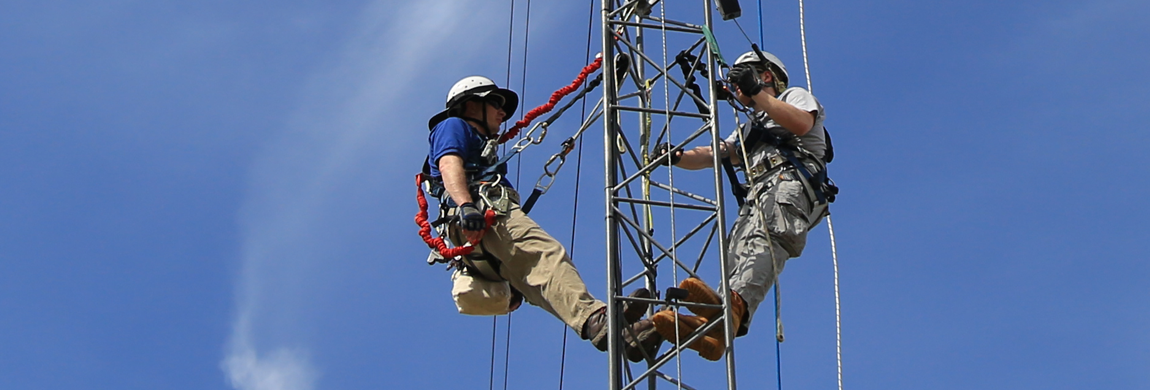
{"points": [[658, 234]]}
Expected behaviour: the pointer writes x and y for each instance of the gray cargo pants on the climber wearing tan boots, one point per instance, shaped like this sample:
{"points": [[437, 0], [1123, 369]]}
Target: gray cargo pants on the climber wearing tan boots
{"points": [[778, 205]]}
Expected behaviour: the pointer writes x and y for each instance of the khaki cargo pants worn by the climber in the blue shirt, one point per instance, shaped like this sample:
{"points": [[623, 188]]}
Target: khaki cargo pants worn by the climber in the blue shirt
{"points": [[538, 266]]}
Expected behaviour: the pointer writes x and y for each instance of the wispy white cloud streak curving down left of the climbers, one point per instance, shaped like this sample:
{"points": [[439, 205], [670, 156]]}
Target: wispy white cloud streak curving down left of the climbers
{"points": [[346, 121]]}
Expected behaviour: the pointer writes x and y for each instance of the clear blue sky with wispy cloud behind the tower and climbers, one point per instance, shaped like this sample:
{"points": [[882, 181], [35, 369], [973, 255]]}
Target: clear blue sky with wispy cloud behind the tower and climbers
{"points": [[218, 195]]}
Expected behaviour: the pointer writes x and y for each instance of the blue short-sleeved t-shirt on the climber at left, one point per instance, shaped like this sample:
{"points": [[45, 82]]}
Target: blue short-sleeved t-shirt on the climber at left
{"points": [[456, 136]]}
